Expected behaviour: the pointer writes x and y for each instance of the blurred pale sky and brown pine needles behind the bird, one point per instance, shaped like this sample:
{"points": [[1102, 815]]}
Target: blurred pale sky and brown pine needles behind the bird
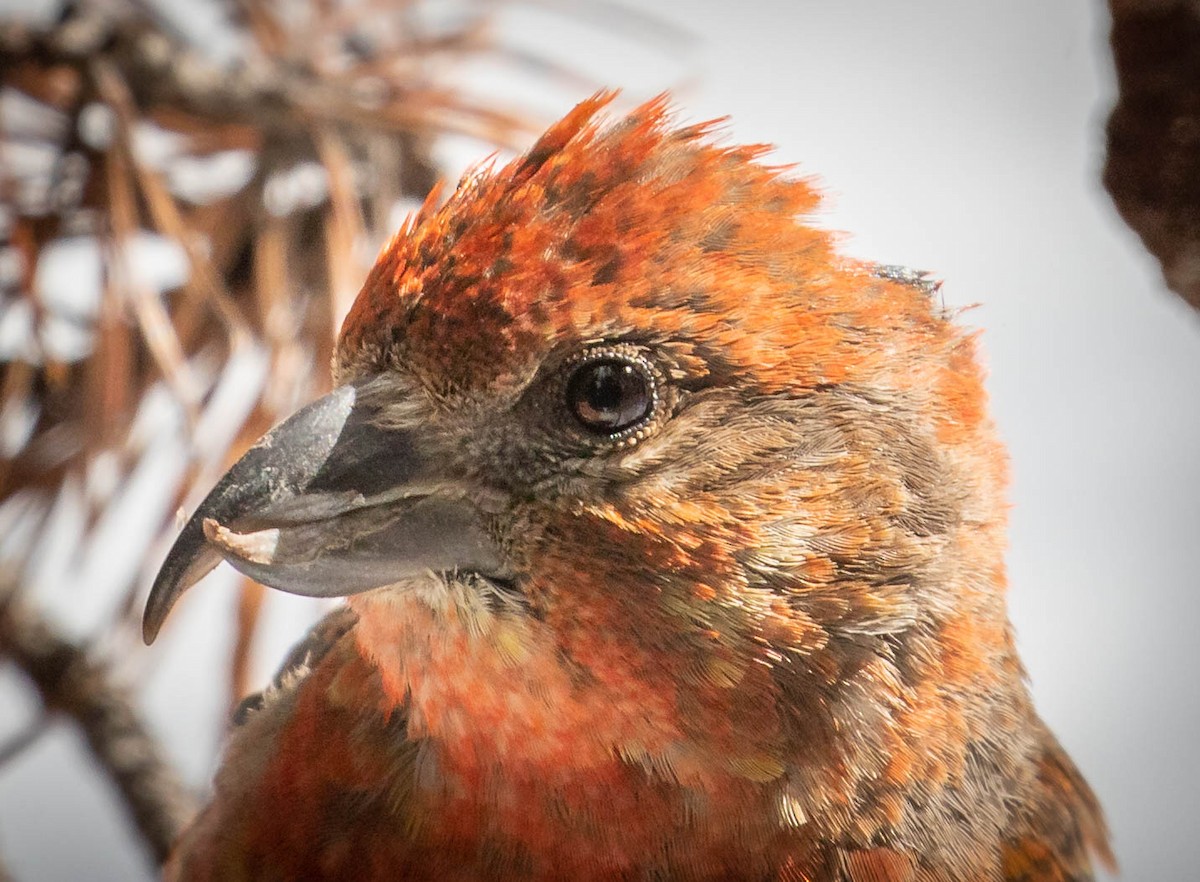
{"points": [[193, 191]]}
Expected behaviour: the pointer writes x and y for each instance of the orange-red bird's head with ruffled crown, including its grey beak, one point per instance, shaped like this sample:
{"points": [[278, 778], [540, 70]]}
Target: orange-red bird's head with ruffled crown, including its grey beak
{"points": [[623, 388]]}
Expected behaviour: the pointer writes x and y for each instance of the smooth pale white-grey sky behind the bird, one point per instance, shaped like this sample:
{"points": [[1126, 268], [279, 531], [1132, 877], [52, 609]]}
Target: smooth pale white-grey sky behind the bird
{"points": [[958, 137]]}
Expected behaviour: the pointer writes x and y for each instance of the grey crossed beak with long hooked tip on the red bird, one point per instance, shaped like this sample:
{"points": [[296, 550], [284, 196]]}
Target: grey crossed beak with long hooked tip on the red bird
{"points": [[329, 505]]}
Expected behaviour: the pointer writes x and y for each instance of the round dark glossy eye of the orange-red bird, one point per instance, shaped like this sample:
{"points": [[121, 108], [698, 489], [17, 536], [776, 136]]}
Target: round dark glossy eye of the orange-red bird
{"points": [[609, 395]]}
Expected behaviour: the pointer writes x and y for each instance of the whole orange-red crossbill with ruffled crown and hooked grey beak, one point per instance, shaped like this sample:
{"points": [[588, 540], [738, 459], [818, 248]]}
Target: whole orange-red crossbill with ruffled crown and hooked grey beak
{"points": [[674, 544]]}
